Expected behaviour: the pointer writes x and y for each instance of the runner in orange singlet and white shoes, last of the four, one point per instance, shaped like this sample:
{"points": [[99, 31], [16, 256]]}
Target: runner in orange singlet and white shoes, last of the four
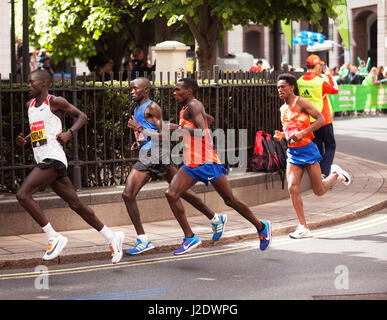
{"points": [[302, 152]]}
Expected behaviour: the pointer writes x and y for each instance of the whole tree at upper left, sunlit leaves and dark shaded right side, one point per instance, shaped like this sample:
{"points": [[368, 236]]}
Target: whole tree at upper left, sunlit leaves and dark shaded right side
{"points": [[90, 28]]}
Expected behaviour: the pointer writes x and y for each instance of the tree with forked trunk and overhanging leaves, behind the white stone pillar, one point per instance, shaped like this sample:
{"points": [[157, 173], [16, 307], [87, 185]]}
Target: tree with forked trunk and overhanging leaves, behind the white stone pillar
{"points": [[207, 19]]}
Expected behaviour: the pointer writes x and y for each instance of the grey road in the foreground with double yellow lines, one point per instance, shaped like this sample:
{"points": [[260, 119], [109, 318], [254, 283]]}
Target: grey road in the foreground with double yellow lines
{"points": [[342, 260]]}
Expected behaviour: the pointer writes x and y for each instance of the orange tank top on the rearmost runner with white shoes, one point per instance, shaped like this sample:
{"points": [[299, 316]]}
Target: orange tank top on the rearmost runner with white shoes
{"points": [[293, 121]]}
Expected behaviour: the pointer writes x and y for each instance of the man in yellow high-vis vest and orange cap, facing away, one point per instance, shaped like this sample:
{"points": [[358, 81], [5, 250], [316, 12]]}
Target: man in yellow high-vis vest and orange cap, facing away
{"points": [[314, 88]]}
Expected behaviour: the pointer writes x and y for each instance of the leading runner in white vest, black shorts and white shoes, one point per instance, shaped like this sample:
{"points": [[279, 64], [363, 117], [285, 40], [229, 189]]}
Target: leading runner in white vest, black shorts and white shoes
{"points": [[45, 113]]}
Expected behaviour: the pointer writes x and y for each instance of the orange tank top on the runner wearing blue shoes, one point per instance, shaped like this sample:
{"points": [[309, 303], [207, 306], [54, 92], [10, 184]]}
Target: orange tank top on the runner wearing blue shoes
{"points": [[198, 150]]}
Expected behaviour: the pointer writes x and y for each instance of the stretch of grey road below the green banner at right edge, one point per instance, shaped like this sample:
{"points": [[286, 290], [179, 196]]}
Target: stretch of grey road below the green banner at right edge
{"points": [[362, 137]]}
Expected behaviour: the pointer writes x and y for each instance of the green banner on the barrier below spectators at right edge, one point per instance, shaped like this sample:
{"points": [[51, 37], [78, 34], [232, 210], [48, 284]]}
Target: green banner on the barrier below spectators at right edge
{"points": [[359, 97]]}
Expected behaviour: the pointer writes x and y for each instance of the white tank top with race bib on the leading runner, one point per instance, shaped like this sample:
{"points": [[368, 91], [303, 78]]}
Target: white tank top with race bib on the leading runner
{"points": [[44, 126]]}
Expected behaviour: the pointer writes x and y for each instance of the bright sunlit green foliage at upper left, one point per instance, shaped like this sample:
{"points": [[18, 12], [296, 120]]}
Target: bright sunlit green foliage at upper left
{"points": [[70, 28]]}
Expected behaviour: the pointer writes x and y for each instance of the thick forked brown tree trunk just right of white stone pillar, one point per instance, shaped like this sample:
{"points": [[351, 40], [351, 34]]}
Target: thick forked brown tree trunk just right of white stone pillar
{"points": [[206, 33]]}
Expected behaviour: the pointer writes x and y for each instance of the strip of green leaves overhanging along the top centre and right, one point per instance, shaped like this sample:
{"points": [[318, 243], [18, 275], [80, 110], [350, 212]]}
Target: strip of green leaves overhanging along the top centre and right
{"points": [[243, 12]]}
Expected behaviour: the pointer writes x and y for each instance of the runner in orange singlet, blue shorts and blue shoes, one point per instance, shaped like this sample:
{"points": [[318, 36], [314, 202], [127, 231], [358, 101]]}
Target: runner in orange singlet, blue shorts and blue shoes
{"points": [[202, 164]]}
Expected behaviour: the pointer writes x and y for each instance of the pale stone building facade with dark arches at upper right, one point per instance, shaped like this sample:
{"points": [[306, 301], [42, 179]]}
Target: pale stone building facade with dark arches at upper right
{"points": [[368, 38]]}
